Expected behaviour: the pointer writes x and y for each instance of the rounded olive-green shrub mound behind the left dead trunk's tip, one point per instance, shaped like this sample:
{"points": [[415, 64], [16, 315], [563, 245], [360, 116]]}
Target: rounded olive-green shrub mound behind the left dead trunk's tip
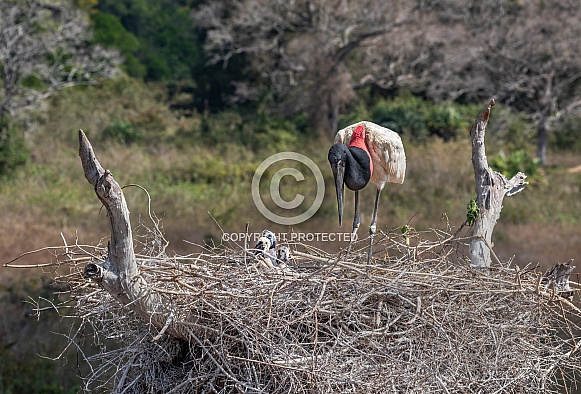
{"points": [[124, 110]]}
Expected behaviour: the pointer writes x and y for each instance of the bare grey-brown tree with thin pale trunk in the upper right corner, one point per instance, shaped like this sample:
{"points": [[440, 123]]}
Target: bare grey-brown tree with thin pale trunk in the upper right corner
{"points": [[525, 56]]}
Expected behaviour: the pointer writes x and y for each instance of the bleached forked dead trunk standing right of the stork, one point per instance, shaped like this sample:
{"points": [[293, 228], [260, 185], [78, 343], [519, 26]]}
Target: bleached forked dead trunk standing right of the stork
{"points": [[491, 187]]}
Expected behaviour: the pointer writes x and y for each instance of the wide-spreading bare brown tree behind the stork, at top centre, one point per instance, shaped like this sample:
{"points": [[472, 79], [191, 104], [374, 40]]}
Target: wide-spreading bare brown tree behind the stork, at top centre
{"points": [[305, 51]]}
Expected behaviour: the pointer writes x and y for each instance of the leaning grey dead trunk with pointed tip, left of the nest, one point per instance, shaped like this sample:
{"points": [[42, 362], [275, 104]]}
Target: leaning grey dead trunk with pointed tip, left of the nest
{"points": [[119, 274]]}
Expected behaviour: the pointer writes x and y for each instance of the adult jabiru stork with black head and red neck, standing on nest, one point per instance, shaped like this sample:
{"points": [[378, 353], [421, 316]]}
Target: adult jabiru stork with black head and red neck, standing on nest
{"points": [[366, 152]]}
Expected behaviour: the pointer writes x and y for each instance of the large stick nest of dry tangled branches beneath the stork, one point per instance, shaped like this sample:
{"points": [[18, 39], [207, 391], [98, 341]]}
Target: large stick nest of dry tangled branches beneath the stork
{"points": [[417, 319]]}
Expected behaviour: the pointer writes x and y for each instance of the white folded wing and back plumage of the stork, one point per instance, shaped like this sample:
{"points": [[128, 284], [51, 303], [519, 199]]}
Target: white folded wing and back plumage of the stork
{"points": [[386, 150]]}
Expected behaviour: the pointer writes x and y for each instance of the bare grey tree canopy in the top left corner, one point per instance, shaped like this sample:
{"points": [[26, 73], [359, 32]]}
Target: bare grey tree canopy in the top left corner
{"points": [[44, 47]]}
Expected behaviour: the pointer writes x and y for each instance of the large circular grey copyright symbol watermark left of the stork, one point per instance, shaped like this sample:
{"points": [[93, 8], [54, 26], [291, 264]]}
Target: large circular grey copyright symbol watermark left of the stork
{"points": [[275, 188]]}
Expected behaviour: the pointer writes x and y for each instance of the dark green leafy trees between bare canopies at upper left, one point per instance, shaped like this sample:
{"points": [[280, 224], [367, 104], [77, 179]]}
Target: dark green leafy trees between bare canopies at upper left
{"points": [[160, 43]]}
